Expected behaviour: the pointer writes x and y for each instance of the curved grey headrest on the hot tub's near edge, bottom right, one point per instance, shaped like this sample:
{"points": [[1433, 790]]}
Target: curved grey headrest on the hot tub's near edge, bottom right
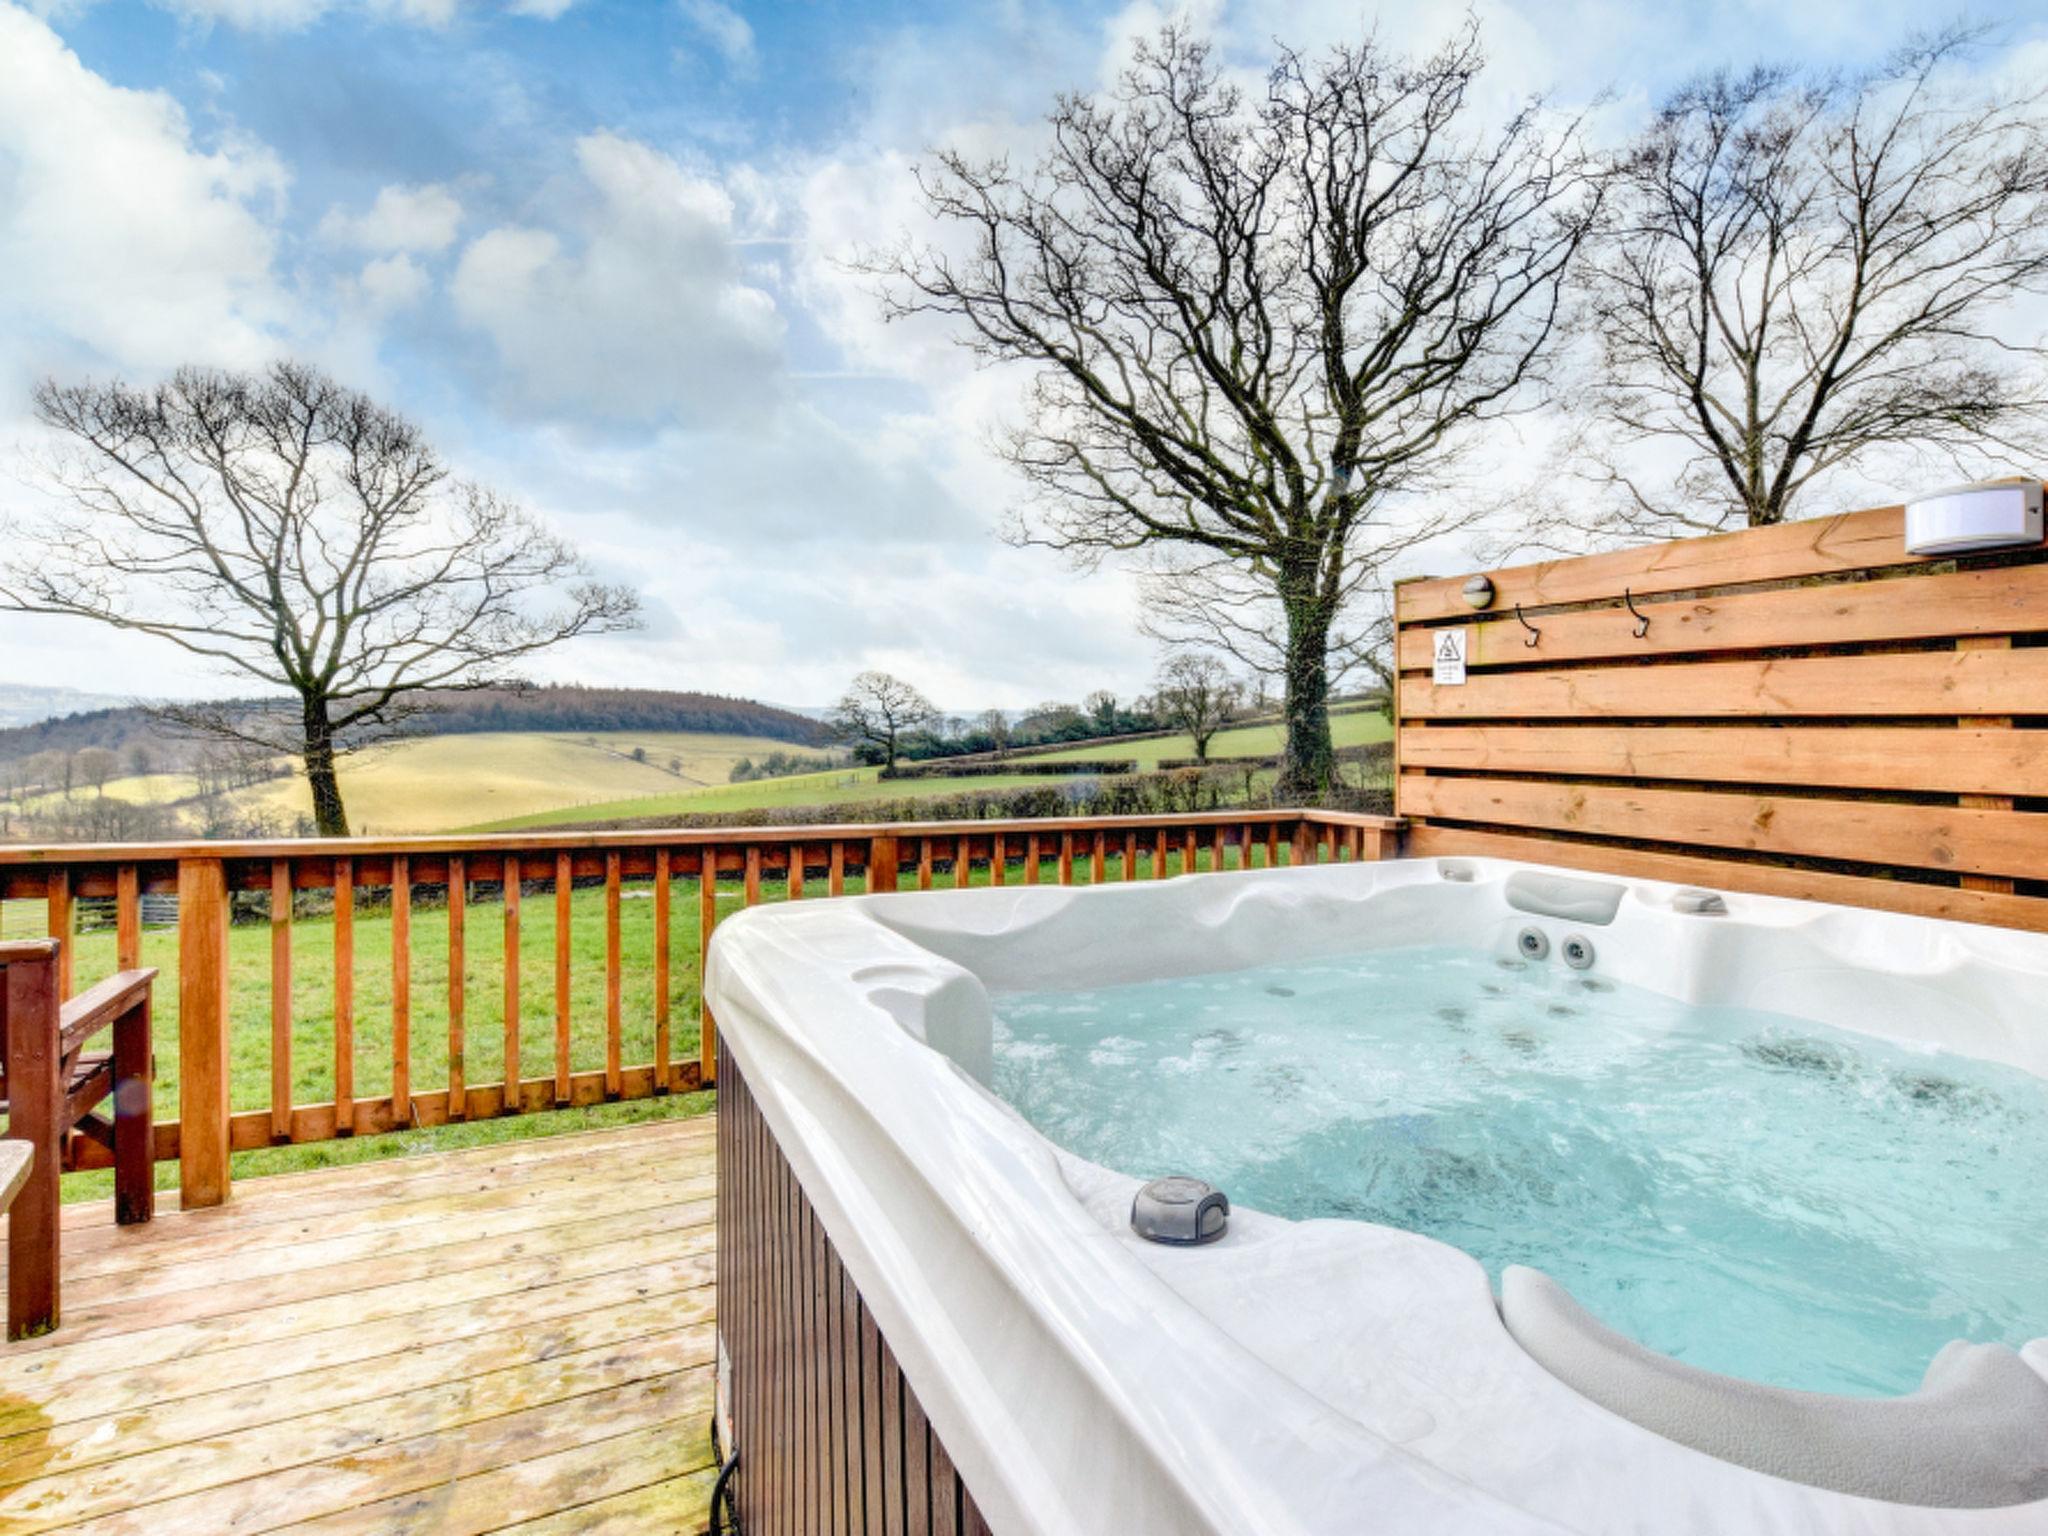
{"points": [[1973, 1437]]}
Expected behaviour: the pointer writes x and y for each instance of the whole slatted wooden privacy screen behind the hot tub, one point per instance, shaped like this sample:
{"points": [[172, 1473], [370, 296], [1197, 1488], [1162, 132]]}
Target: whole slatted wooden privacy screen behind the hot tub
{"points": [[1807, 712]]}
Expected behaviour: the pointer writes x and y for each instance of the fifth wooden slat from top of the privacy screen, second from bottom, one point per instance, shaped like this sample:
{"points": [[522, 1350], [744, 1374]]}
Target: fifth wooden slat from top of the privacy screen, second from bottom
{"points": [[1918, 837]]}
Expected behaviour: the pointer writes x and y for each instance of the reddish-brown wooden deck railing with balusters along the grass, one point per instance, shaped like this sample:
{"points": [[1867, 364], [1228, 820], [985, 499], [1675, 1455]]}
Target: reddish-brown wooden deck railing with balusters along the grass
{"points": [[505, 867]]}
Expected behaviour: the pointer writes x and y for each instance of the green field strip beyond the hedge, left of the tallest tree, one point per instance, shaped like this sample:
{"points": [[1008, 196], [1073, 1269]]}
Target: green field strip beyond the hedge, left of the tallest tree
{"points": [[853, 785]]}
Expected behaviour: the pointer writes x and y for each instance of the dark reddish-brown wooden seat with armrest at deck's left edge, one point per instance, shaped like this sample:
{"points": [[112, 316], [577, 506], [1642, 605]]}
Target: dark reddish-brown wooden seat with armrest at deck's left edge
{"points": [[52, 1086]]}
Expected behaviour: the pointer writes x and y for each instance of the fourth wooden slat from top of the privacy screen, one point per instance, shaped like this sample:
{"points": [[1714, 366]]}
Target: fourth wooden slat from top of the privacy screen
{"points": [[1895, 759]]}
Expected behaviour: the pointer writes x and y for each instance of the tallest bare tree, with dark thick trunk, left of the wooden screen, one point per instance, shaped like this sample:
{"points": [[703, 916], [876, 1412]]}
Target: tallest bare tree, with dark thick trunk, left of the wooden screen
{"points": [[1258, 318]]}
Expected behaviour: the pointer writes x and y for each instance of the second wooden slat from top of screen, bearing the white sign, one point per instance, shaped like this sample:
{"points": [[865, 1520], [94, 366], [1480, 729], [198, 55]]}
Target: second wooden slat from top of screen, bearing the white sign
{"points": [[2002, 601]]}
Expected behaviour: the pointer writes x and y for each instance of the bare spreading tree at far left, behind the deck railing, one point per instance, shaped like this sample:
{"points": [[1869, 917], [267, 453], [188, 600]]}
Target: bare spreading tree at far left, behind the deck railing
{"points": [[302, 536]]}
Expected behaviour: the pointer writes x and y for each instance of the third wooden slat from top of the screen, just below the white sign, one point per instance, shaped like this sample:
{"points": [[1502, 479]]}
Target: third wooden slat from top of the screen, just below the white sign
{"points": [[1791, 687]]}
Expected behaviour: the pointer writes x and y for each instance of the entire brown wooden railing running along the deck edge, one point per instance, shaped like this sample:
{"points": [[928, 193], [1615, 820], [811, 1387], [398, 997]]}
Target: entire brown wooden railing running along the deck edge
{"points": [[239, 890]]}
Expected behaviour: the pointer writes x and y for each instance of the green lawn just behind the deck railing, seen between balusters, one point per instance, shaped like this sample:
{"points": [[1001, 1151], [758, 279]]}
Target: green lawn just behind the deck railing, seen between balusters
{"points": [[312, 1046]]}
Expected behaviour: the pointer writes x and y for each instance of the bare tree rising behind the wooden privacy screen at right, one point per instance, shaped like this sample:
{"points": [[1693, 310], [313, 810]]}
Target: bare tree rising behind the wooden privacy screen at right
{"points": [[1805, 275]]}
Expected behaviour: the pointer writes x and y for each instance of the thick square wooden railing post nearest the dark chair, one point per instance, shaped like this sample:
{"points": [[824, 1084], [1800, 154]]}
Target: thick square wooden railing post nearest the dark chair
{"points": [[202, 1033]]}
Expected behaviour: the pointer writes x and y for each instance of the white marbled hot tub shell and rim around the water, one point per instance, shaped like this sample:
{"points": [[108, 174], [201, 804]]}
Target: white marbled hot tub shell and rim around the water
{"points": [[1295, 1375]]}
